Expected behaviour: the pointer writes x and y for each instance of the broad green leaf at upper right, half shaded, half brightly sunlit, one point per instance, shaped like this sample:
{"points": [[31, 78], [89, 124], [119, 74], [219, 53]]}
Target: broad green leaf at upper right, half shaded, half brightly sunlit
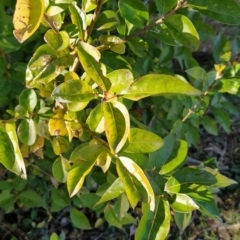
{"points": [[183, 31]]}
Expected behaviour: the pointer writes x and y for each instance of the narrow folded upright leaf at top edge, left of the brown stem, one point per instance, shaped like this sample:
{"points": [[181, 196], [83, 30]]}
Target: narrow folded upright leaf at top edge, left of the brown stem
{"points": [[78, 18]]}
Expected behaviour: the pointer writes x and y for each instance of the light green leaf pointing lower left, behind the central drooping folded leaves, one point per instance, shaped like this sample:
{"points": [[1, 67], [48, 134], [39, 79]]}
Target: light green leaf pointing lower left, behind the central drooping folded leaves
{"points": [[112, 192]]}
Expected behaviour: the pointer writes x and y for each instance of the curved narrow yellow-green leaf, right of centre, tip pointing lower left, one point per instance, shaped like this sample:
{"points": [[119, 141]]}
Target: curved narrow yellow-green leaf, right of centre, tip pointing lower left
{"points": [[178, 159]]}
